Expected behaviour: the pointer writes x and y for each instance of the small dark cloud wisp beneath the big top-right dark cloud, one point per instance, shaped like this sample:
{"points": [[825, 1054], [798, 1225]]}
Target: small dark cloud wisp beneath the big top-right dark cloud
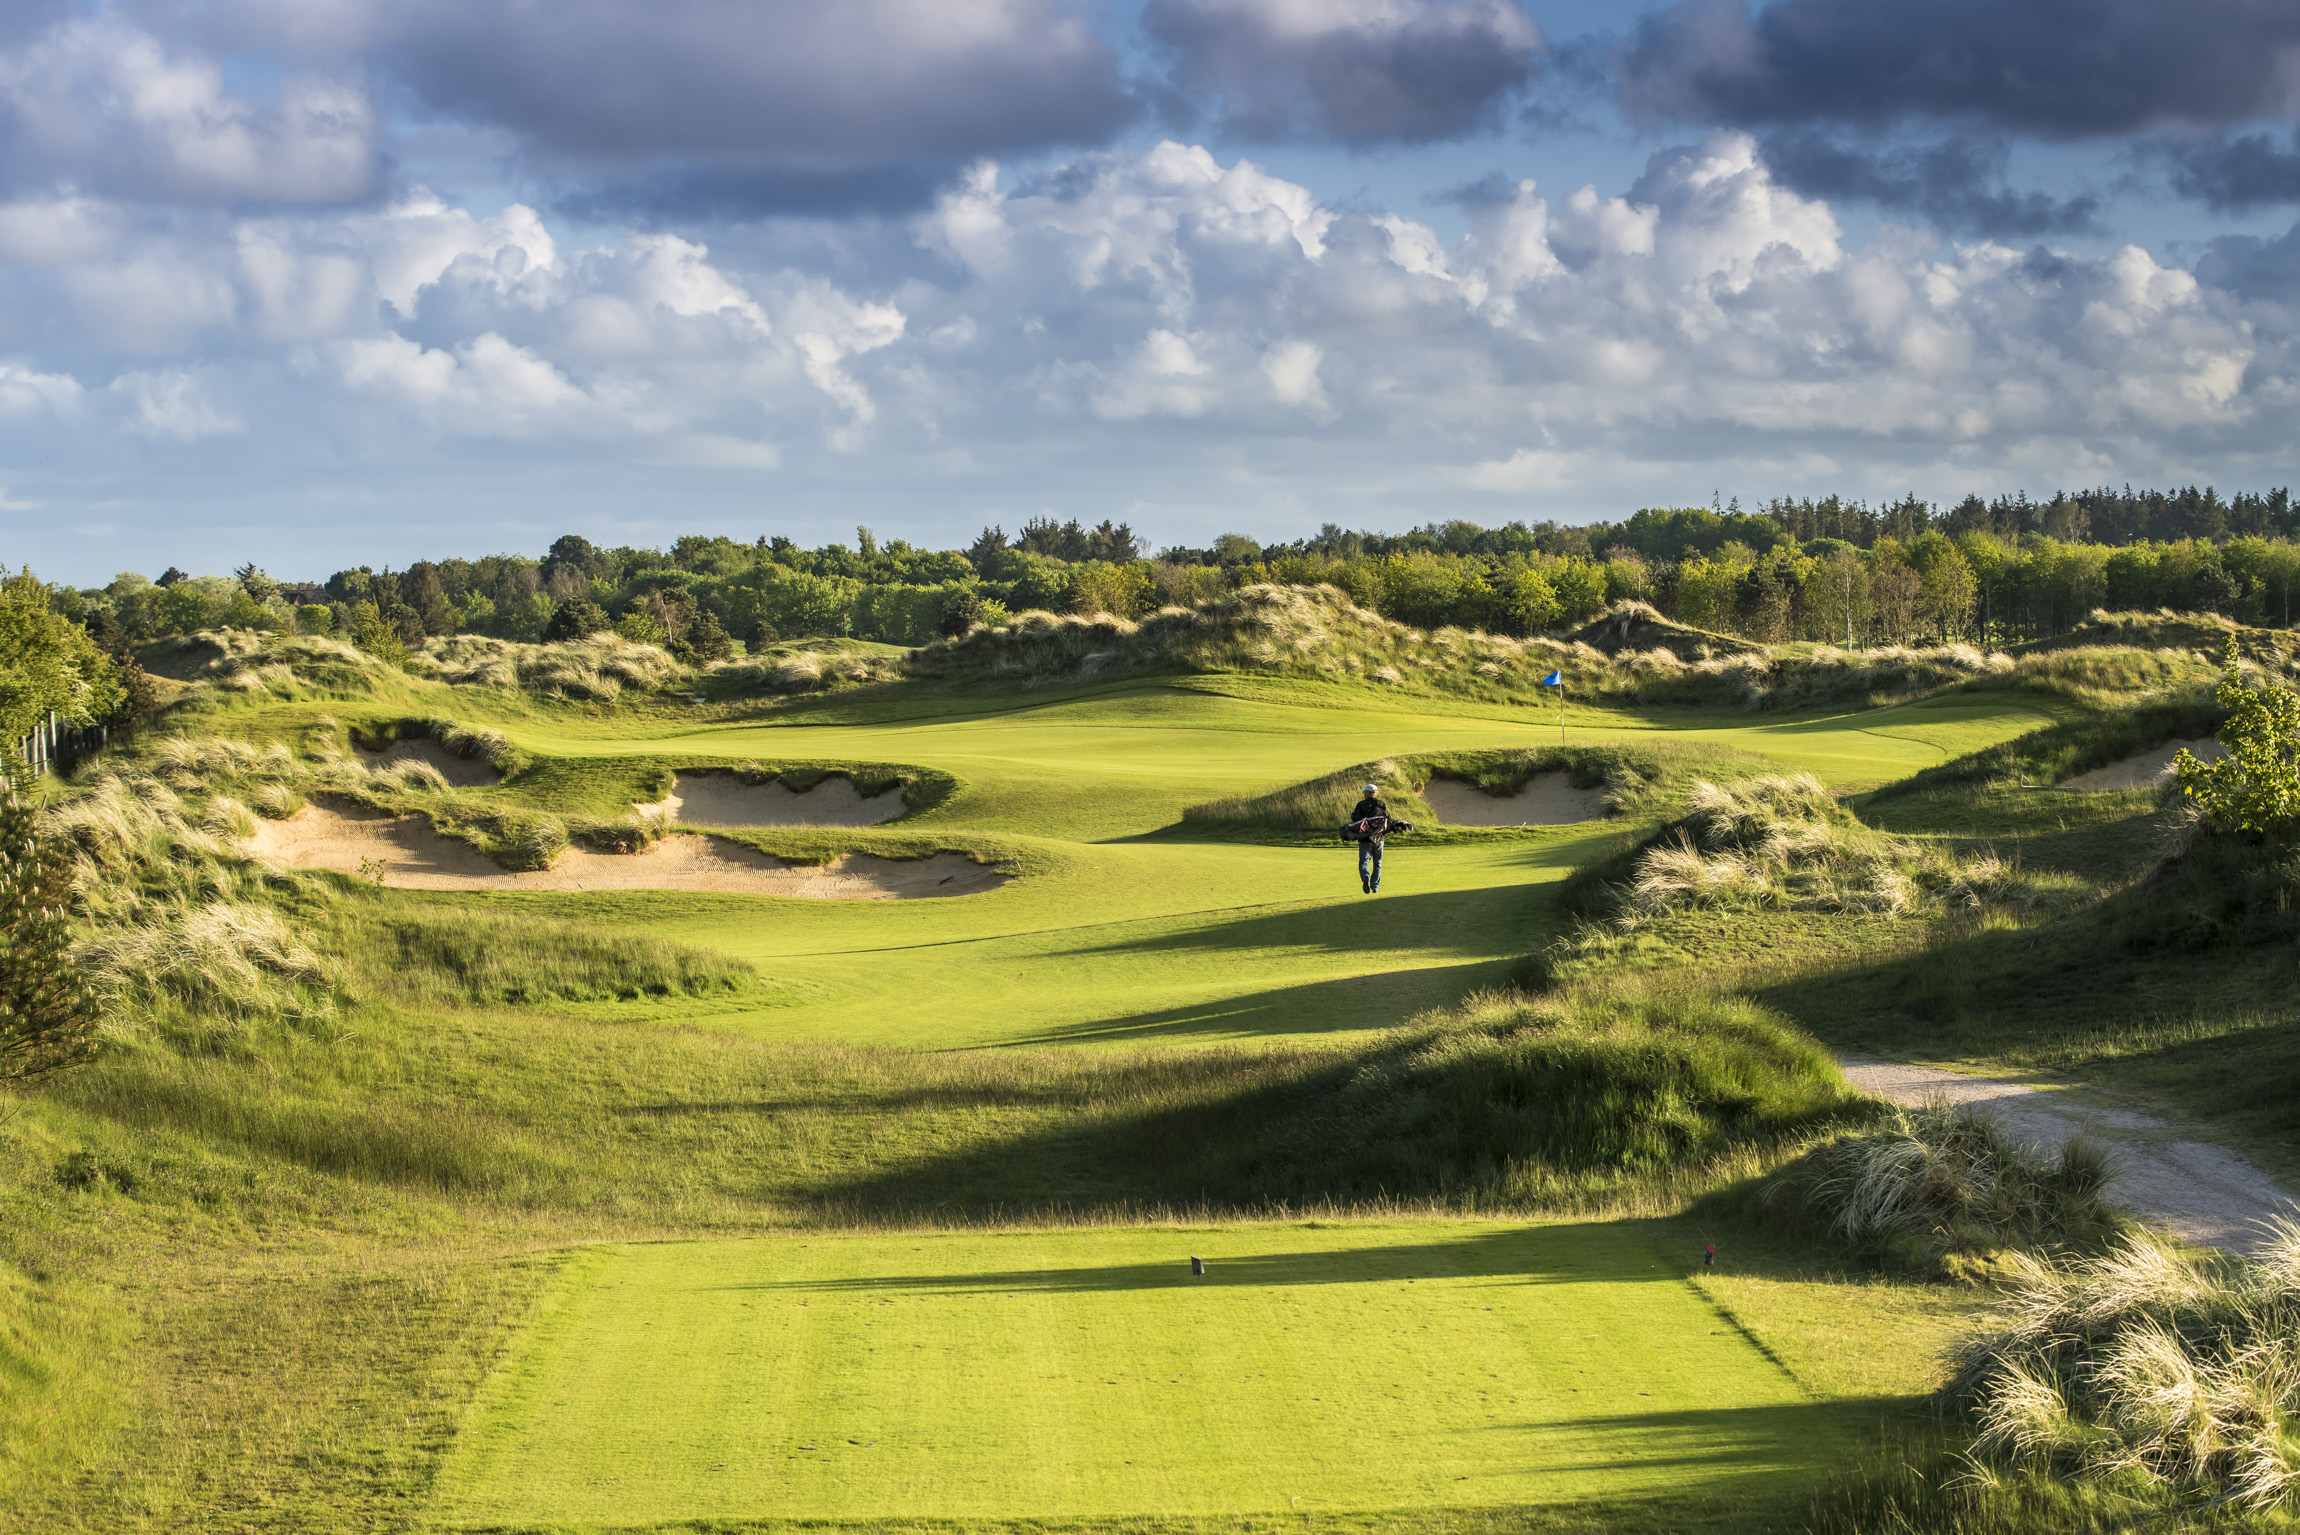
{"points": [[1956, 185]]}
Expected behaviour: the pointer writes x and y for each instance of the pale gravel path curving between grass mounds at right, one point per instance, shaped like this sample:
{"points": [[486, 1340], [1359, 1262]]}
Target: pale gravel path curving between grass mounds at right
{"points": [[2193, 1189]]}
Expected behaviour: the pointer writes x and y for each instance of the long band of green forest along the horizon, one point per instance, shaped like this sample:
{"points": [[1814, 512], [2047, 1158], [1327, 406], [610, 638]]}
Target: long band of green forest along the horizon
{"points": [[1832, 572]]}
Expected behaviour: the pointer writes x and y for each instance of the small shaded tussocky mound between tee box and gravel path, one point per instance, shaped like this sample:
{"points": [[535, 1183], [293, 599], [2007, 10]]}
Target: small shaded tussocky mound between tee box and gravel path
{"points": [[1945, 1179]]}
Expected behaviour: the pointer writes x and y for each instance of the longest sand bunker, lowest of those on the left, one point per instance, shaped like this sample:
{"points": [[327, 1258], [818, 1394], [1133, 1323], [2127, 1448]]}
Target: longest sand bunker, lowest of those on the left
{"points": [[413, 857]]}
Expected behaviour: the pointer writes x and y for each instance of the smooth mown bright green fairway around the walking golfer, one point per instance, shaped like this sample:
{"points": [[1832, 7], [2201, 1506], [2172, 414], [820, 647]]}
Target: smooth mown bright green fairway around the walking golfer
{"points": [[1126, 929]]}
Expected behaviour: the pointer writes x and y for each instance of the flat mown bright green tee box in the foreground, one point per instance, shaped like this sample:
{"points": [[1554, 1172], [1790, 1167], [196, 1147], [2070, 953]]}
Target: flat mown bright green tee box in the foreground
{"points": [[1089, 1375]]}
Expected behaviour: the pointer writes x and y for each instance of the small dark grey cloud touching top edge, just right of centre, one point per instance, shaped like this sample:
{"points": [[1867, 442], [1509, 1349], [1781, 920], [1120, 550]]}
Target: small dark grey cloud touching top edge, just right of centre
{"points": [[1354, 72]]}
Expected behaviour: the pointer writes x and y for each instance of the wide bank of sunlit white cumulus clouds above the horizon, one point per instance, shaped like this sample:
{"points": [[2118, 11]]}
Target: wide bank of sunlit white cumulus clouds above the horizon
{"points": [[1188, 326]]}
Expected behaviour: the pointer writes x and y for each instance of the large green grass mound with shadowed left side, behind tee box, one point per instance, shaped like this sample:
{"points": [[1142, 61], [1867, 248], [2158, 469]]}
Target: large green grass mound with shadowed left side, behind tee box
{"points": [[1584, 1099]]}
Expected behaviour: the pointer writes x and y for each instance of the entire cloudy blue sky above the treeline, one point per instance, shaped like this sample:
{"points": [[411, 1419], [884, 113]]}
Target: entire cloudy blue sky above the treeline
{"points": [[362, 282]]}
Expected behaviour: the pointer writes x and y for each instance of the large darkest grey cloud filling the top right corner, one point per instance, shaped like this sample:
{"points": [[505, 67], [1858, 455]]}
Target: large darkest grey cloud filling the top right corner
{"points": [[2050, 68]]}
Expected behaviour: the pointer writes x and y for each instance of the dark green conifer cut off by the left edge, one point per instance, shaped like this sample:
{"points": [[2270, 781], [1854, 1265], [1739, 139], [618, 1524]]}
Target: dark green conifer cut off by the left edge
{"points": [[47, 1007]]}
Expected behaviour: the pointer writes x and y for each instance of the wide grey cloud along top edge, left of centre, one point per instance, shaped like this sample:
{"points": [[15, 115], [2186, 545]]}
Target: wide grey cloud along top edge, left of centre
{"points": [[765, 82]]}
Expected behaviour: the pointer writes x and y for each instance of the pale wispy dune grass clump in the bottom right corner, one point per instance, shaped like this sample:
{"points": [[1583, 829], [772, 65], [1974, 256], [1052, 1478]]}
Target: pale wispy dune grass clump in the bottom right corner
{"points": [[2147, 1368]]}
